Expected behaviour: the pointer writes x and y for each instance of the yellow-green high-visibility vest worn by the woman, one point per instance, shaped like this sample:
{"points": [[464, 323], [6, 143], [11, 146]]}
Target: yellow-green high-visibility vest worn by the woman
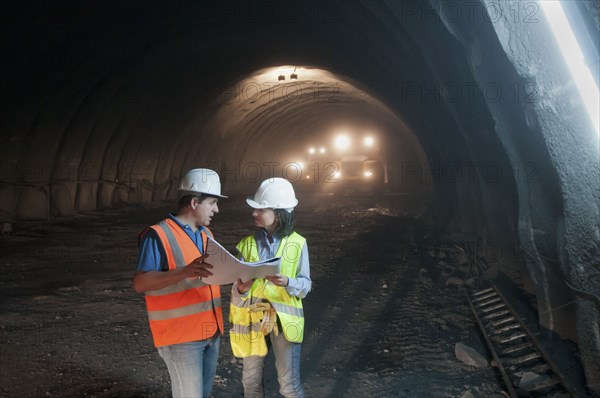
{"points": [[245, 336]]}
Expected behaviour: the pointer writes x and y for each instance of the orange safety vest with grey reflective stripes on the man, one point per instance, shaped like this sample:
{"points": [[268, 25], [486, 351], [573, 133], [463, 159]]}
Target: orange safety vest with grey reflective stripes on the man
{"points": [[189, 310]]}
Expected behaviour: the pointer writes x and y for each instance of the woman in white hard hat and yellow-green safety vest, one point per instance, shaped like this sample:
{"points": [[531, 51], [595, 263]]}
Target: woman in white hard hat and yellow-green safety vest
{"points": [[267, 313]]}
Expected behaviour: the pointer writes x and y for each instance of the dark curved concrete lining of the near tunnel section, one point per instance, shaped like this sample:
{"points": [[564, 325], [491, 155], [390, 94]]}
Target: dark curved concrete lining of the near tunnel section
{"points": [[107, 104]]}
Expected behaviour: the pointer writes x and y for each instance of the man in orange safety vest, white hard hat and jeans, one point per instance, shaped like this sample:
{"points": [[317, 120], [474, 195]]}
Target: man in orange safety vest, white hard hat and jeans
{"points": [[184, 313]]}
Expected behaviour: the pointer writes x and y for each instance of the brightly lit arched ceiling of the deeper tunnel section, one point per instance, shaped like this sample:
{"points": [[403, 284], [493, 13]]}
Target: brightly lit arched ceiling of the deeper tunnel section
{"points": [[259, 112]]}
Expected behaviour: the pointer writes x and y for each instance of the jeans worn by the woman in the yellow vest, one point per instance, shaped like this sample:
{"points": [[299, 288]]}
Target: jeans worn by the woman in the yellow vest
{"points": [[287, 362]]}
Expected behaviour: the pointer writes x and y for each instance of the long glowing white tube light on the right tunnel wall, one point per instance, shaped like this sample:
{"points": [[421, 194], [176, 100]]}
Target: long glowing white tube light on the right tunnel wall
{"points": [[574, 57]]}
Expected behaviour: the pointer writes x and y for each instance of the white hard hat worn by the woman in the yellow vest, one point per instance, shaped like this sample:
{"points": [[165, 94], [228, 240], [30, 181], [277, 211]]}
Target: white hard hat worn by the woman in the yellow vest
{"points": [[275, 193]]}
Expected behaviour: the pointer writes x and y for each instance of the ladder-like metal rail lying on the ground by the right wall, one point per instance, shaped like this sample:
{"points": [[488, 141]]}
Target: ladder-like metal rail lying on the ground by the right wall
{"points": [[526, 370]]}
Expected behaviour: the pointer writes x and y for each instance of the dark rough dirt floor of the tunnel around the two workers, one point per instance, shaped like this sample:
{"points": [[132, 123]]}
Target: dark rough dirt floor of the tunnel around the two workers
{"points": [[380, 320]]}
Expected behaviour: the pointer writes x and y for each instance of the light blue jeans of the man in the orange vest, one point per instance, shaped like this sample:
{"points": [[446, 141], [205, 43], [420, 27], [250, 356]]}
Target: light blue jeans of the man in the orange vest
{"points": [[192, 366]]}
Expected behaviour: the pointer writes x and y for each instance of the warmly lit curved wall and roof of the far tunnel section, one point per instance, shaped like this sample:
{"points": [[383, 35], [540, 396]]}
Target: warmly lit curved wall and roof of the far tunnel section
{"points": [[266, 126]]}
